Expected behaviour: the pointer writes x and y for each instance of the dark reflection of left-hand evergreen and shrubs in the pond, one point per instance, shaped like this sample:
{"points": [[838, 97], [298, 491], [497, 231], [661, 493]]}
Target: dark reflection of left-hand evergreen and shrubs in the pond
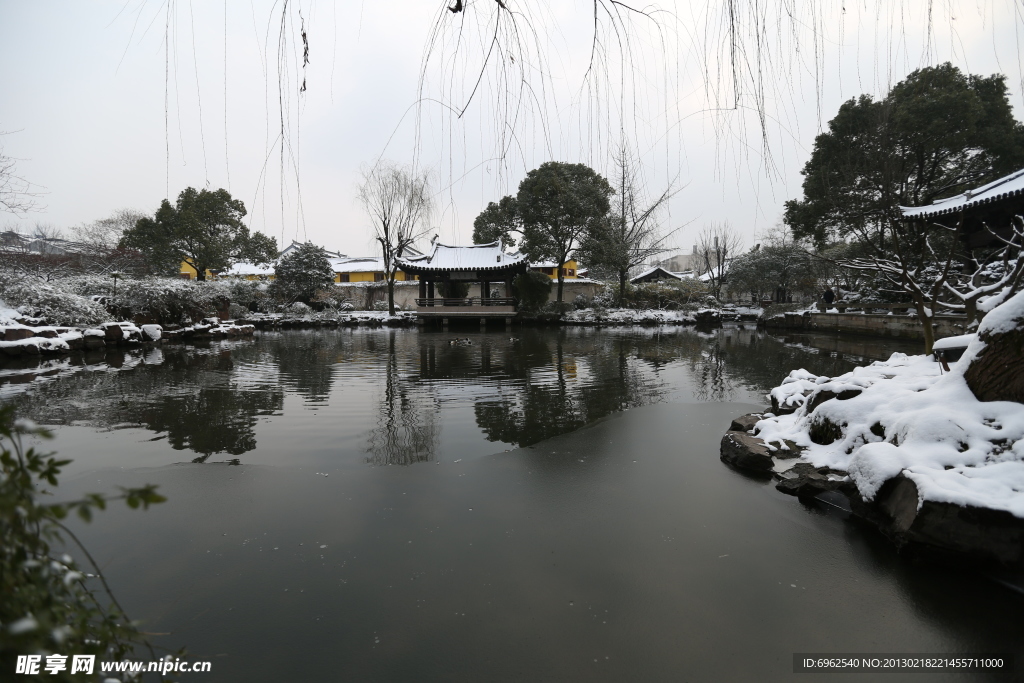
{"points": [[193, 397]]}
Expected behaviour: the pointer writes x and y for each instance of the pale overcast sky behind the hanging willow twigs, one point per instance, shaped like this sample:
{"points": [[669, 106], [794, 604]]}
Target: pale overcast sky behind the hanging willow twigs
{"points": [[86, 84]]}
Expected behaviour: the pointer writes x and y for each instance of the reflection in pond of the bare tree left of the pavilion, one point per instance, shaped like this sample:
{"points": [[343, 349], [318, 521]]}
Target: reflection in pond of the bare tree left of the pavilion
{"points": [[407, 430]]}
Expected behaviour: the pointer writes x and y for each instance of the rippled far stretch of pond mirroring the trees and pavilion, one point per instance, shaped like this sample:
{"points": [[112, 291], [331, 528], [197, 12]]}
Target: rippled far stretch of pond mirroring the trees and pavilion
{"points": [[402, 398]]}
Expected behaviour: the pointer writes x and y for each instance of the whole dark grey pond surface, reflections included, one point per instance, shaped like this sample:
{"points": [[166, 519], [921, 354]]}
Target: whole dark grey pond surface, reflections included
{"points": [[528, 505]]}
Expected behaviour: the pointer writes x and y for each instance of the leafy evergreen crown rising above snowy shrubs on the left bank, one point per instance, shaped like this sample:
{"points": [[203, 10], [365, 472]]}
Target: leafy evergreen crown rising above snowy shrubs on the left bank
{"points": [[204, 229]]}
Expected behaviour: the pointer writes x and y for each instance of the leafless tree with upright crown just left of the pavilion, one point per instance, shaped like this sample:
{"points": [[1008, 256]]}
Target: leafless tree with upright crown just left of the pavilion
{"points": [[400, 203]]}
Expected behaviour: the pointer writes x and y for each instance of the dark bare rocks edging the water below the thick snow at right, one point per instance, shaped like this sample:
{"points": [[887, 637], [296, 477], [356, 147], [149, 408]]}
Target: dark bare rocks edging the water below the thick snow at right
{"points": [[938, 529]]}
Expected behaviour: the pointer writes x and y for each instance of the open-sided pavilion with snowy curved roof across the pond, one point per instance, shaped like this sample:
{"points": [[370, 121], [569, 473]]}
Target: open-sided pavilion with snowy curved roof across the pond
{"points": [[487, 265]]}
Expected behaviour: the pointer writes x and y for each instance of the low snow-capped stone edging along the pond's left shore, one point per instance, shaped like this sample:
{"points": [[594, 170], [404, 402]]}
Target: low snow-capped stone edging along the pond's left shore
{"points": [[24, 340]]}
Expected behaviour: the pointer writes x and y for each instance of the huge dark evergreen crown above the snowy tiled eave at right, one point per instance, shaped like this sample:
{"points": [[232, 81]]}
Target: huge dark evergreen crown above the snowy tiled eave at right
{"points": [[937, 134]]}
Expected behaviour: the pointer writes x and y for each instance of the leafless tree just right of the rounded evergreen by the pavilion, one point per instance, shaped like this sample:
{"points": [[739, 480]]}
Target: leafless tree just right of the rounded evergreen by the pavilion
{"points": [[632, 235]]}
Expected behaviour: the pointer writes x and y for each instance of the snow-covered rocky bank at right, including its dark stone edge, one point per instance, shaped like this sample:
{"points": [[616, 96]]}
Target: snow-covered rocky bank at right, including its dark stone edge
{"points": [[907, 443]]}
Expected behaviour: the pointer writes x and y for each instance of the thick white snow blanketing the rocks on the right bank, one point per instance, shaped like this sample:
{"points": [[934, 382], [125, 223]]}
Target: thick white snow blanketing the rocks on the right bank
{"points": [[911, 417]]}
